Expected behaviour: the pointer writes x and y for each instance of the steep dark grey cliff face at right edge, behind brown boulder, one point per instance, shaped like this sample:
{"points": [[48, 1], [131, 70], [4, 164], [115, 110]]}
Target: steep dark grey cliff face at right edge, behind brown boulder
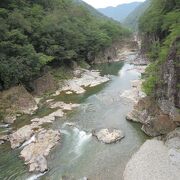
{"points": [[168, 93]]}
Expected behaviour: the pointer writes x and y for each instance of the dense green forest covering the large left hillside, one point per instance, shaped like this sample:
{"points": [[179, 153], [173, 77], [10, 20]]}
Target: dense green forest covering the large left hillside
{"points": [[34, 34]]}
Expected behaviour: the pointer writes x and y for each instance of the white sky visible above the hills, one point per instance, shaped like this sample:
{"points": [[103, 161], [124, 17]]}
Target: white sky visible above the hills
{"points": [[106, 3]]}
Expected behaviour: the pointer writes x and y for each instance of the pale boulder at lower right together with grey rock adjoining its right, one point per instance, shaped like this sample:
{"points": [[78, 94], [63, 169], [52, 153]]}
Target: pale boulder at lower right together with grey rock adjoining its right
{"points": [[156, 160]]}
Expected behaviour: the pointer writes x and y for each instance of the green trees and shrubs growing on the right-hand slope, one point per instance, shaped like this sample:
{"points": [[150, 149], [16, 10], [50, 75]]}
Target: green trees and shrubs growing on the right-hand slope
{"points": [[159, 27]]}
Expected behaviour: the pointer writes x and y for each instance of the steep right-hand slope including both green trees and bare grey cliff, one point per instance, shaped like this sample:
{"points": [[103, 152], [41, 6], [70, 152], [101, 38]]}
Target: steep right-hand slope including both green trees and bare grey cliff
{"points": [[160, 32]]}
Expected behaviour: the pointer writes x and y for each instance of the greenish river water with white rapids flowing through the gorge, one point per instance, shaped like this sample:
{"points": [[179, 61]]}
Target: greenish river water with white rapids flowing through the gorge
{"points": [[79, 154]]}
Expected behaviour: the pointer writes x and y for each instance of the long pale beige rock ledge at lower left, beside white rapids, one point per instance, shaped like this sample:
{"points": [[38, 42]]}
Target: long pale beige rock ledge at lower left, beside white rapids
{"points": [[35, 141]]}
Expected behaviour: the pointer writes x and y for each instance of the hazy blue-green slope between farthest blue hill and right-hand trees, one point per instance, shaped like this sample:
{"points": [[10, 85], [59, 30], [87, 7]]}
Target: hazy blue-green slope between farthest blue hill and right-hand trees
{"points": [[131, 21]]}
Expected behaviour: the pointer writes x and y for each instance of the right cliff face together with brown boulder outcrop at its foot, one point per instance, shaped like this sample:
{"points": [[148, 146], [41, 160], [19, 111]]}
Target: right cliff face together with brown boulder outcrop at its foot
{"points": [[160, 114]]}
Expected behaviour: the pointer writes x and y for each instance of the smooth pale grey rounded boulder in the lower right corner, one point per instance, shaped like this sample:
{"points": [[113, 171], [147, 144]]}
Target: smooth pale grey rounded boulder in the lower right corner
{"points": [[151, 162]]}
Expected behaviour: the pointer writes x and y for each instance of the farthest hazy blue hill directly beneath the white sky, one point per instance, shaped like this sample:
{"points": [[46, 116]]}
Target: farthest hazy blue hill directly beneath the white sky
{"points": [[119, 12]]}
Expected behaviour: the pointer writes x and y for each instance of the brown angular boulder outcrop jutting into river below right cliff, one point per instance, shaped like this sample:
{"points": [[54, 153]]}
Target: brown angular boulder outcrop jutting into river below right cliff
{"points": [[155, 121]]}
